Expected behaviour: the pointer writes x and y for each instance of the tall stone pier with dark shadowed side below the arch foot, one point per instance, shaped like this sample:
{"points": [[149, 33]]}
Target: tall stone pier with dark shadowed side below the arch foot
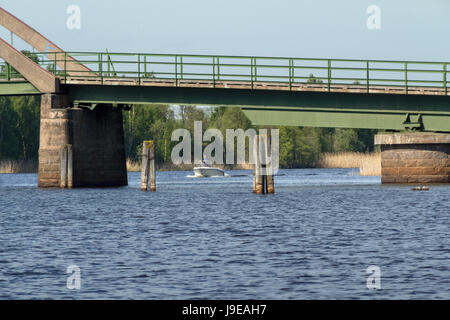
{"points": [[97, 140]]}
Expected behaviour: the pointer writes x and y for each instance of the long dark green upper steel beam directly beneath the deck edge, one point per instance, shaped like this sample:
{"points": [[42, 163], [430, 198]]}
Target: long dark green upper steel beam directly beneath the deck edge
{"points": [[262, 98]]}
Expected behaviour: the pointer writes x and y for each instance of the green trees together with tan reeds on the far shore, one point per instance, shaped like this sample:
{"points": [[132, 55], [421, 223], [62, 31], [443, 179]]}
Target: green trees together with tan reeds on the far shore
{"points": [[300, 147]]}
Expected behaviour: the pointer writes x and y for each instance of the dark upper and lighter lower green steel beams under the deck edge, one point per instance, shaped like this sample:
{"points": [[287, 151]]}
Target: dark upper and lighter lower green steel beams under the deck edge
{"points": [[291, 108]]}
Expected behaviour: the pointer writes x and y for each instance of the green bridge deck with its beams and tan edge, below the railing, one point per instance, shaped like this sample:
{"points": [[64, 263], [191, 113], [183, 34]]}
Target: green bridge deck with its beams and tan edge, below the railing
{"points": [[272, 103]]}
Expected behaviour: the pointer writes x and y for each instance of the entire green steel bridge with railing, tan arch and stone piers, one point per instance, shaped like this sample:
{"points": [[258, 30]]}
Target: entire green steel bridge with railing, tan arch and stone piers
{"points": [[82, 94]]}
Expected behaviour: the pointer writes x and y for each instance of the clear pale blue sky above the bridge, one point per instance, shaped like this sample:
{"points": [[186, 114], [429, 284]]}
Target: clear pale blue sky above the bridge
{"points": [[411, 29]]}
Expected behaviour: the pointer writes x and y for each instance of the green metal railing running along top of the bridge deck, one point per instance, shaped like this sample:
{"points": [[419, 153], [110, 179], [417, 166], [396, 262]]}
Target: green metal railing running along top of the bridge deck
{"points": [[285, 71]]}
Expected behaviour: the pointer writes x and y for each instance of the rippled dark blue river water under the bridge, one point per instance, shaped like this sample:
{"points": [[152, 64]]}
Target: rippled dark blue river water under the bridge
{"points": [[213, 239]]}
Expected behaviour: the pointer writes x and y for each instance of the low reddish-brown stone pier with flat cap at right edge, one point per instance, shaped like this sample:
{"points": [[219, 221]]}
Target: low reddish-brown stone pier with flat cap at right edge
{"points": [[420, 158]]}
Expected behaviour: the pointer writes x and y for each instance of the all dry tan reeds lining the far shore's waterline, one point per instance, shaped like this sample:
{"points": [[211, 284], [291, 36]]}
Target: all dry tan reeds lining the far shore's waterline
{"points": [[369, 164]]}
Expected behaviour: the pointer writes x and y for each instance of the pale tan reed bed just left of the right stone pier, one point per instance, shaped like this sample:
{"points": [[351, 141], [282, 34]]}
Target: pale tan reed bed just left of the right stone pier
{"points": [[369, 164]]}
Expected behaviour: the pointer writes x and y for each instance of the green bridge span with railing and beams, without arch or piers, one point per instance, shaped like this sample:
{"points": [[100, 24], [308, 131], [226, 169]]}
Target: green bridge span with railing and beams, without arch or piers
{"points": [[378, 94]]}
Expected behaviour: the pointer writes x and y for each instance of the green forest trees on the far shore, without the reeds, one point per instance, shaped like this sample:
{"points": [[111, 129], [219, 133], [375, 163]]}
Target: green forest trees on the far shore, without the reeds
{"points": [[299, 147]]}
